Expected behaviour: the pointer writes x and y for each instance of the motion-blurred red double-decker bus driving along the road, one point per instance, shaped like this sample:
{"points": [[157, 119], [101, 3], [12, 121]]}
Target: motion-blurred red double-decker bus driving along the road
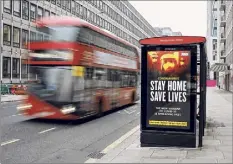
{"points": [[81, 70]]}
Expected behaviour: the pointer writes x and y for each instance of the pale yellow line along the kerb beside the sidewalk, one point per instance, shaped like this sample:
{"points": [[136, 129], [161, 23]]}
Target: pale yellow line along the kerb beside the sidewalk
{"points": [[115, 143]]}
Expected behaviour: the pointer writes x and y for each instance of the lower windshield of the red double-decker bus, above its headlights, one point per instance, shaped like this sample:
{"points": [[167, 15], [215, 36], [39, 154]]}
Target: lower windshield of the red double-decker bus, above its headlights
{"points": [[53, 83]]}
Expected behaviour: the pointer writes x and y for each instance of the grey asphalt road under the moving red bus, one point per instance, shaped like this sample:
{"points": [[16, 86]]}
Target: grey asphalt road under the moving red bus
{"points": [[25, 140]]}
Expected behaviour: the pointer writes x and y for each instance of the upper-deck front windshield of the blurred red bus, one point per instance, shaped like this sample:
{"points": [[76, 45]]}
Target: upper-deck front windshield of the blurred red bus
{"points": [[60, 33]]}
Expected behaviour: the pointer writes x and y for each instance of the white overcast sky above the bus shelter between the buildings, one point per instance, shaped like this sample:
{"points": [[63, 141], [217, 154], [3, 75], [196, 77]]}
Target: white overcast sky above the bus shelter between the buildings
{"points": [[188, 17]]}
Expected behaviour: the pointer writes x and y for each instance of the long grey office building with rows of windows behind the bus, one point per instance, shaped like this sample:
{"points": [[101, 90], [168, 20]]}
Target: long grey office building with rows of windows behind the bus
{"points": [[17, 27]]}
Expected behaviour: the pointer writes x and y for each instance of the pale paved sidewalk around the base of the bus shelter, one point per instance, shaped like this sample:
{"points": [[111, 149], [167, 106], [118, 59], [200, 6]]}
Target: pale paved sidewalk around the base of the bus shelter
{"points": [[217, 142]]}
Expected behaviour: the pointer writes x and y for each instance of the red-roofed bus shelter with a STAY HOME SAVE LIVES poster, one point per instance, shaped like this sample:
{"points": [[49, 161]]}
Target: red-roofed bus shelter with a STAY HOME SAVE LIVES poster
{"points": [[173, 91]]}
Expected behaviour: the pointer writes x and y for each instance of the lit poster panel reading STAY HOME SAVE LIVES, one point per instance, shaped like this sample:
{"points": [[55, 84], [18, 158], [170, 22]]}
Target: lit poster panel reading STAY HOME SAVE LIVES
{"points": [[168, 89]]}
